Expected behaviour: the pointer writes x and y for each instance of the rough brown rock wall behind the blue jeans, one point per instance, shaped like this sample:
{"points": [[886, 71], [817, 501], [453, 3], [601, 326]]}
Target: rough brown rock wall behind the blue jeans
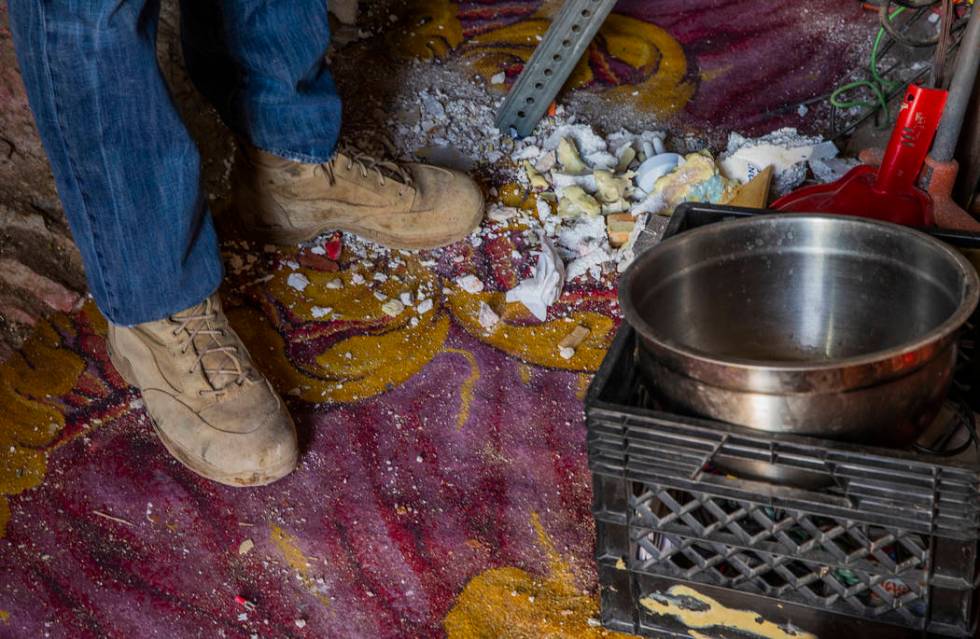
{"points": [[40, 267]]}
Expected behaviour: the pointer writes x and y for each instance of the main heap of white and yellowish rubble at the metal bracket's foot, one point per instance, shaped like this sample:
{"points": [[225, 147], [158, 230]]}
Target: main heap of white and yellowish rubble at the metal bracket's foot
{"points": [[591, 196]]}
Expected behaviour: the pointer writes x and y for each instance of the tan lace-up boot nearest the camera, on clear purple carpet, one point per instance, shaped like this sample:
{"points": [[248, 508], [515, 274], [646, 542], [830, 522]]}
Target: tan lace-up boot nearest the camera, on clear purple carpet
{"points": [[211, 408]]}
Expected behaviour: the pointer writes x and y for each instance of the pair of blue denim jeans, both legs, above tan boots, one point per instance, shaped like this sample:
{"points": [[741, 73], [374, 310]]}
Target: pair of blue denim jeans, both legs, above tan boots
{"points": [[128, 173]]}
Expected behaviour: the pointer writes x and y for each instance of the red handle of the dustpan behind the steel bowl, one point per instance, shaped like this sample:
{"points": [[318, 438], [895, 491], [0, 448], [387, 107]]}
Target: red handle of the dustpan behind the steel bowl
{"points": [[918, 119]]}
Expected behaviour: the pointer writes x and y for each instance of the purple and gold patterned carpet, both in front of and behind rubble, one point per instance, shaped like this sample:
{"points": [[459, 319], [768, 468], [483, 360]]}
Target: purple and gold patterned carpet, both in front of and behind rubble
{"points": [[443, 489]]}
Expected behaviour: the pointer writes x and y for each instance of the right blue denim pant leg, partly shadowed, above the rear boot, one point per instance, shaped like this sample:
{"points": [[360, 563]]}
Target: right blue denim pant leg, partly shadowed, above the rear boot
{"points": [[261, 64]]}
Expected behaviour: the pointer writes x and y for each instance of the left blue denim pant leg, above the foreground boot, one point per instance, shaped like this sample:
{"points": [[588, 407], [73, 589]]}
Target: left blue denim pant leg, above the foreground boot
{"points": [[127, 171]]}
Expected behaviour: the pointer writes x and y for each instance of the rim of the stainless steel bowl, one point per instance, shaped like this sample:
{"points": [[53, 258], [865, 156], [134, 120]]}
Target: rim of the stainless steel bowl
{"points": [[964, 310]]}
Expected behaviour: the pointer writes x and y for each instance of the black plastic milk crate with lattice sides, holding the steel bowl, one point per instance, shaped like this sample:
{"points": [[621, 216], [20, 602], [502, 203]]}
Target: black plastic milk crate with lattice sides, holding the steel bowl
{"points": [[876, 541]]}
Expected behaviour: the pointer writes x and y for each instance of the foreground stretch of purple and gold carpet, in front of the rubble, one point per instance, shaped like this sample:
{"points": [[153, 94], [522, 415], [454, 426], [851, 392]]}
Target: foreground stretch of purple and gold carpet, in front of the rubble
{"points": [[456, 500]]}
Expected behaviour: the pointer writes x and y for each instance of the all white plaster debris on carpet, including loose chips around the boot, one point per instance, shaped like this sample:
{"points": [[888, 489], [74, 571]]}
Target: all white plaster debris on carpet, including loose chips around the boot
{"points": [[572, 202]]}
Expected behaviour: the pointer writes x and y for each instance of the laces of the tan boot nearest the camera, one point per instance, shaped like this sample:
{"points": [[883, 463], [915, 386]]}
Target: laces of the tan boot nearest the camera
{"points": [[220, 362]]}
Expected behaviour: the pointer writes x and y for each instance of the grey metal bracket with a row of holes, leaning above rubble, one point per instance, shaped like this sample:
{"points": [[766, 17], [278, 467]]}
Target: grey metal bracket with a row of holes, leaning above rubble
{"points": [[552, 63]]}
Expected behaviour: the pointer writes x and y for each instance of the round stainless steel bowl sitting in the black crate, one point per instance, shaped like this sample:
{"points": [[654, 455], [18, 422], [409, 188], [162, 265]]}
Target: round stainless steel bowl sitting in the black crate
{"points": [[812, 324]]}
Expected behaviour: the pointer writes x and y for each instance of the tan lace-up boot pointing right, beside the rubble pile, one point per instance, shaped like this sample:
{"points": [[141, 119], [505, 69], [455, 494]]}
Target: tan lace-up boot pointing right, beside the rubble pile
{"points": [[407, 206]]}
